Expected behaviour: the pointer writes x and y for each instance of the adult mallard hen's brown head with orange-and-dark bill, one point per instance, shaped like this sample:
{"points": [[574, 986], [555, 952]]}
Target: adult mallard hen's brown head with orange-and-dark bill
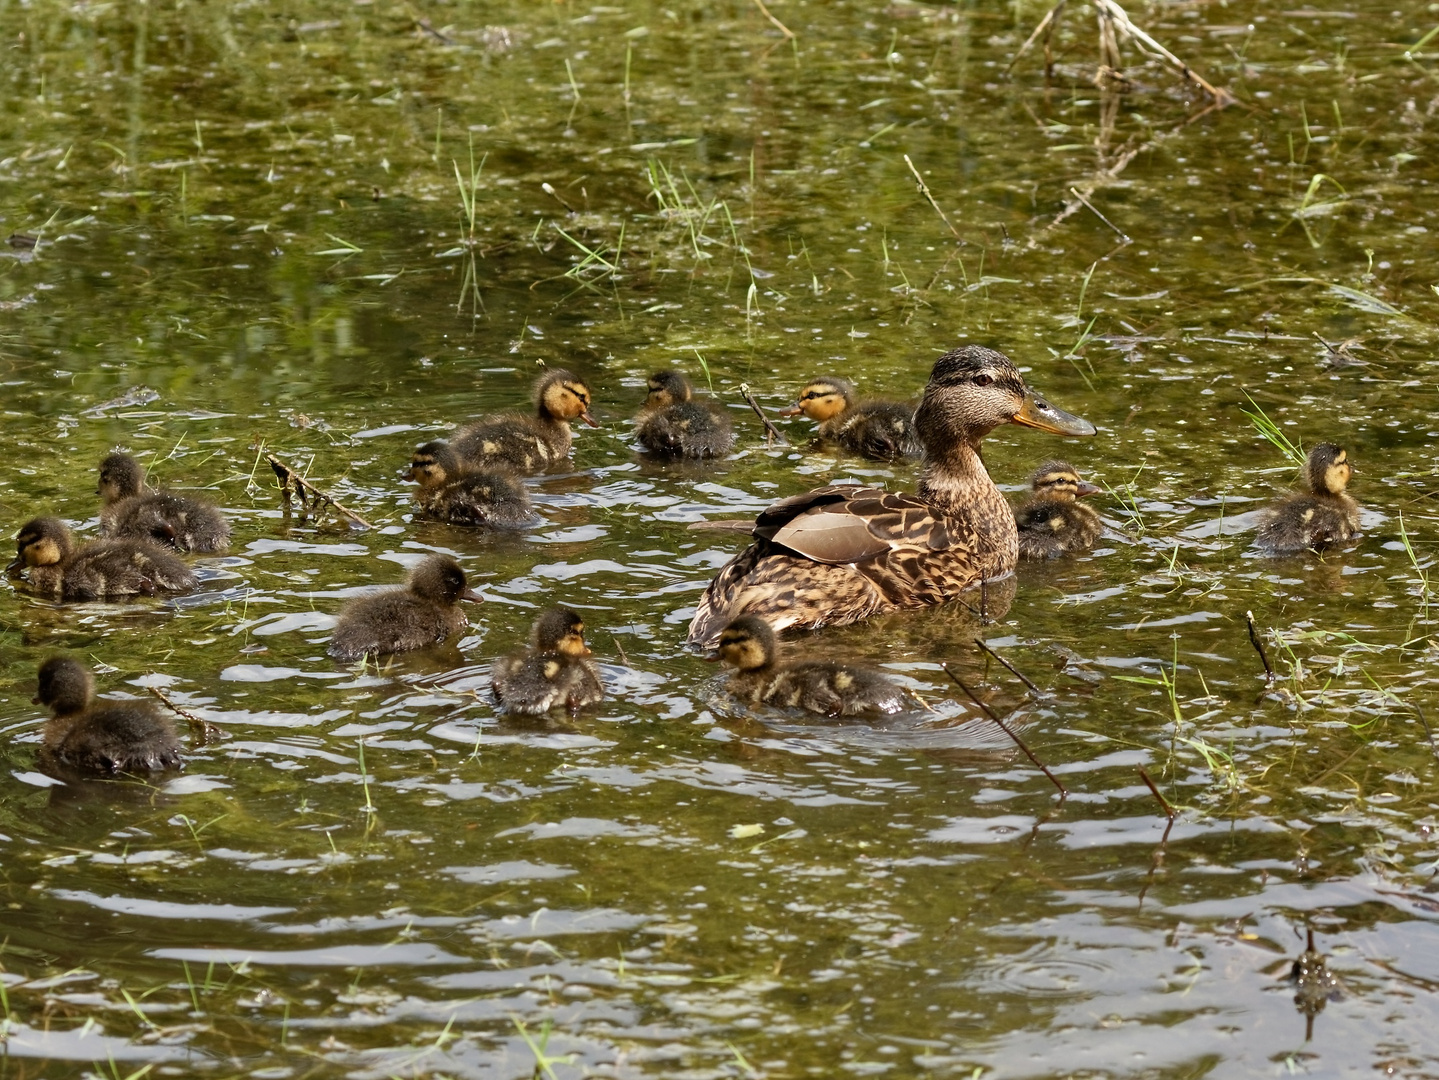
{"points": [[972, 392]]}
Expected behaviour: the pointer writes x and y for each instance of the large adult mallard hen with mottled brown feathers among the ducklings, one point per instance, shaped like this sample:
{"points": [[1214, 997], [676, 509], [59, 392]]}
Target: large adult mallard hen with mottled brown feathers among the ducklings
{"points": [[845, 553]]}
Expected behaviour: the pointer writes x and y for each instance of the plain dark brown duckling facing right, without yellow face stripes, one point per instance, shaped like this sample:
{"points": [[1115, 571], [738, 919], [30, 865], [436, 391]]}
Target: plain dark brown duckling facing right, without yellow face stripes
{"points": [[421, 613]]}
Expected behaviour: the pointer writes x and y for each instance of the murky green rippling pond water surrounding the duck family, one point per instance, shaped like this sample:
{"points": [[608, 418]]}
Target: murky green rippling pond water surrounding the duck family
{"points": [[253, 212]]}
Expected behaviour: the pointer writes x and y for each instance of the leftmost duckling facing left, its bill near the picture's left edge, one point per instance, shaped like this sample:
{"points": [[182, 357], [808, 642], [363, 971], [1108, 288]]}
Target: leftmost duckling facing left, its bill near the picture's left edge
{"points": [[100, 570]]}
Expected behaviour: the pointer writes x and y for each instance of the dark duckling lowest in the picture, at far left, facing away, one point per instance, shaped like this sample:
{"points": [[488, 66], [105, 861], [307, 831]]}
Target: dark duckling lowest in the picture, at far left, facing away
{"points": [[107, 738]]}
